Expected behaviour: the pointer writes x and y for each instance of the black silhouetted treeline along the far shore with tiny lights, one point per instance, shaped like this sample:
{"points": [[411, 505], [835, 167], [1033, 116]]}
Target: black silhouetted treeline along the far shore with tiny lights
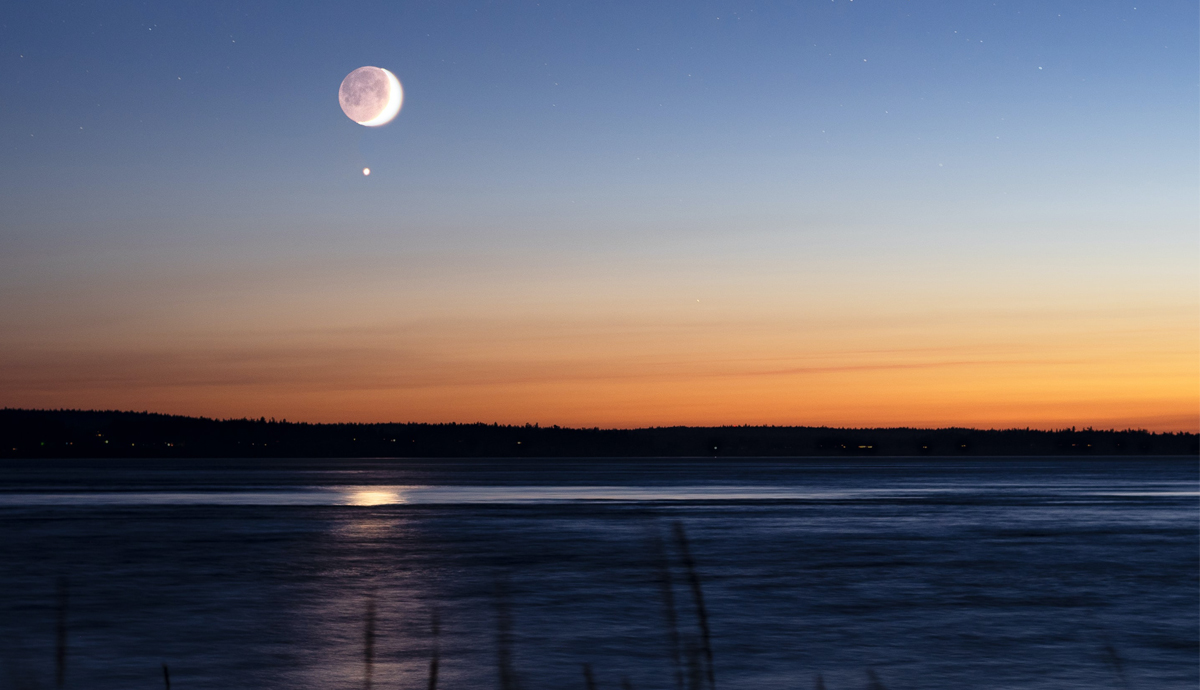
{"points": [[80, 434]]}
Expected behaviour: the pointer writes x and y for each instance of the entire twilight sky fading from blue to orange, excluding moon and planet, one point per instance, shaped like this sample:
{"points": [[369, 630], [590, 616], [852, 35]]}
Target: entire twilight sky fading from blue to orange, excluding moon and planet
{"points": [[608, 214]]}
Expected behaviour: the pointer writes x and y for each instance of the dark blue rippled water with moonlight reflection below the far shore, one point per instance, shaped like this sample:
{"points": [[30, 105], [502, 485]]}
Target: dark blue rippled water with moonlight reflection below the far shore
{"points": [[1001, 573]]}
